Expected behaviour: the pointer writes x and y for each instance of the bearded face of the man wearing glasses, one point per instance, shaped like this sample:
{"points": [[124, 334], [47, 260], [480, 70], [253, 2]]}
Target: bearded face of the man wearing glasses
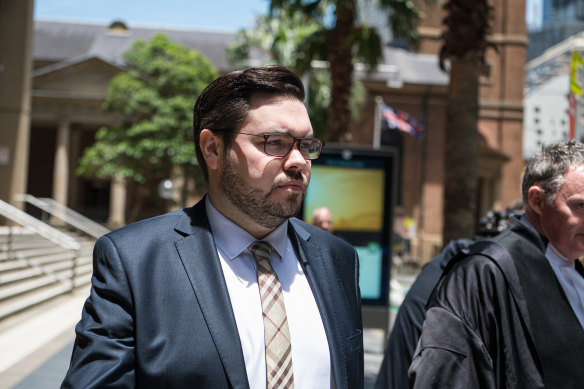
{"points": [[267, 189]]}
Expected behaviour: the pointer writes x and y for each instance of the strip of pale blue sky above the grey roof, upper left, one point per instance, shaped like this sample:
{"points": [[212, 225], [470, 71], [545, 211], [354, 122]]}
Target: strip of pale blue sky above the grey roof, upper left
{"points": [[219, 15]]}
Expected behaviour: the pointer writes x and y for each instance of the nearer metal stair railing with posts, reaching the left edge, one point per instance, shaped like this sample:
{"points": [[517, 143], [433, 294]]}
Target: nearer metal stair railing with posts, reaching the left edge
{"points": [[44, 230]]}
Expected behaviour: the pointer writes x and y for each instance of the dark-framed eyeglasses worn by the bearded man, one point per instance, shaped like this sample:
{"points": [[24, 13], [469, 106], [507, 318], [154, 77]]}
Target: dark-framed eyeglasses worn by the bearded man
{"points": [[279, 145]]}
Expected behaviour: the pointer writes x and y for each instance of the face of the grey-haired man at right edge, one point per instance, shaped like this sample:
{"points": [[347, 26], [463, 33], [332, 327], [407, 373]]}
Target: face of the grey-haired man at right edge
{"points": [[562, 221]]}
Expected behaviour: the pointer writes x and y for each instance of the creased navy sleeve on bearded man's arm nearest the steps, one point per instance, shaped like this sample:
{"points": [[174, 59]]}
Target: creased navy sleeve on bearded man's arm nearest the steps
{"points": [[103, 353]]}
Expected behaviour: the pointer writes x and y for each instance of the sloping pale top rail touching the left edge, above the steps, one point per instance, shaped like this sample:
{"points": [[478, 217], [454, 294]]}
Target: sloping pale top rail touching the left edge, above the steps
{"points": [[38, 227]]}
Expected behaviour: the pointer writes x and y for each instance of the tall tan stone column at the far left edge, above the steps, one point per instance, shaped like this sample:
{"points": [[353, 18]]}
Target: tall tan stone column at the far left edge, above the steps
{"points": [[16, 30]]}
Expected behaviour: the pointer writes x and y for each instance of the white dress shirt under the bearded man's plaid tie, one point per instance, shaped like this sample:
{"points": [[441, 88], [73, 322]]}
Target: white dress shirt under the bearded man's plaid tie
{"points": [[310, 351]]}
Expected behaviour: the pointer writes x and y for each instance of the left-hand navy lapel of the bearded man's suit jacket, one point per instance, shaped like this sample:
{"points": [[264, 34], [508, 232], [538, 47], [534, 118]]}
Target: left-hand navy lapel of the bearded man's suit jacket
{"points": [[198, 254]]}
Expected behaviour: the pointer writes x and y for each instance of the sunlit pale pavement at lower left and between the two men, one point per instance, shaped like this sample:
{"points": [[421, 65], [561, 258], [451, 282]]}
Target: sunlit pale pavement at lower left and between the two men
{"points": [[36, 346]]}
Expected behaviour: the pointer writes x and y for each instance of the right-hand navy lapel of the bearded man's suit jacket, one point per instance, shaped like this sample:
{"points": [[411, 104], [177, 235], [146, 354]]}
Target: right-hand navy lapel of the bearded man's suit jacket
{"points": [[328, 294]]}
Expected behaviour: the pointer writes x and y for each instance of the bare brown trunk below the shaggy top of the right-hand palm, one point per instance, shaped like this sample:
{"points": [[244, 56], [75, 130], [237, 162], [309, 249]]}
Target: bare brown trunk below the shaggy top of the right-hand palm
{"points": [[461, 151]]}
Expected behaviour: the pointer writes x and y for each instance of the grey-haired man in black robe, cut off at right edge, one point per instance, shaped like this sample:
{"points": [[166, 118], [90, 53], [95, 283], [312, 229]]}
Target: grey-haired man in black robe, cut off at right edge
{"points": [[511, 313]]}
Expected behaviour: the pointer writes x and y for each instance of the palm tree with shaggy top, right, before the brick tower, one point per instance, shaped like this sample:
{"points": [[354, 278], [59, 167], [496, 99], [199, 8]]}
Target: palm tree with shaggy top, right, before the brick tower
{"points": [[464, 45]]}
